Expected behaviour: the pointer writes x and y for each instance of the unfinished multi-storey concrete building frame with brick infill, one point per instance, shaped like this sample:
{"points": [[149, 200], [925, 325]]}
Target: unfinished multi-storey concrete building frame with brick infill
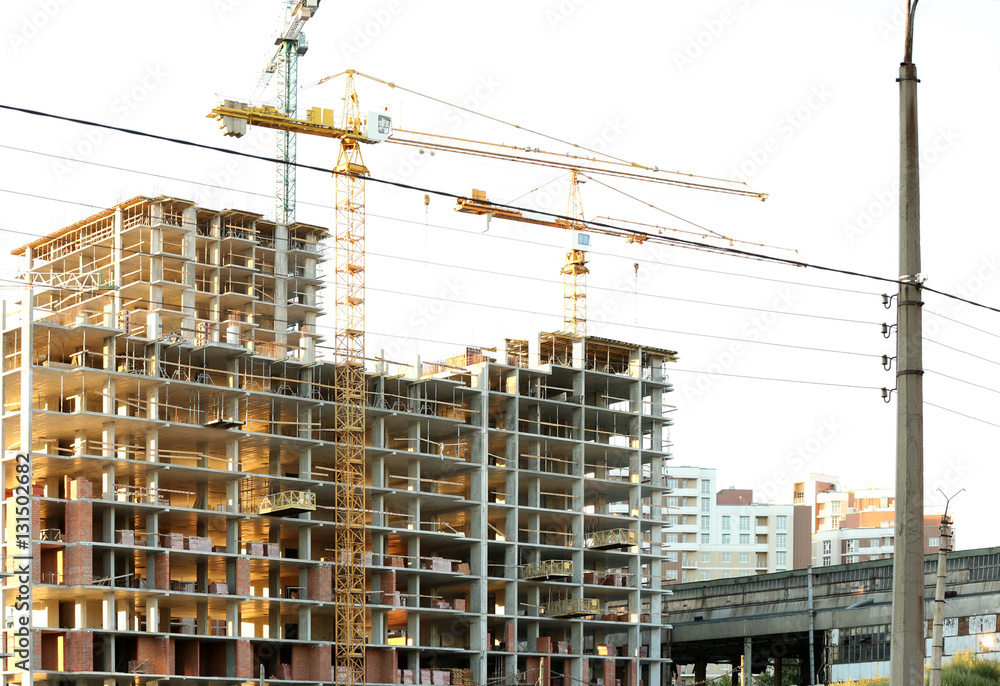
{"points": [[165, 383]]}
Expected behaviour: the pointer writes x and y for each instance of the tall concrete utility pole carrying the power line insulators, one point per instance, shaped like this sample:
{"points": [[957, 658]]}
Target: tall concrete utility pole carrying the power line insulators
{"points": [[906, 665]]}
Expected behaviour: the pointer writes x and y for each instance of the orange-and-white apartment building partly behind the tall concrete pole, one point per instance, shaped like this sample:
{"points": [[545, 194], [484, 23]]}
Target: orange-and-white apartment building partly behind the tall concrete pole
{"points": [[856, 525]]}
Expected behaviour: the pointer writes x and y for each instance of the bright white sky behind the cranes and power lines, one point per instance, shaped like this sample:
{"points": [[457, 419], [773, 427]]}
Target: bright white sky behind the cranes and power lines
{"points": [[797, 97]]}
